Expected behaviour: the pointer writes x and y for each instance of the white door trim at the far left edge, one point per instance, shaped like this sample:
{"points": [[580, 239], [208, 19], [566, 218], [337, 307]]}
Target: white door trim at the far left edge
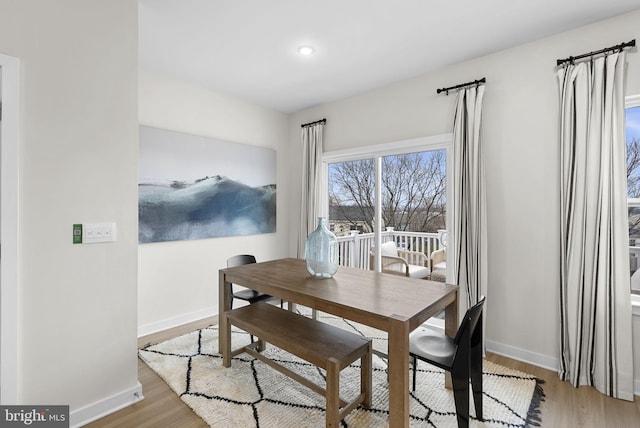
{"points": [[9, 350]]}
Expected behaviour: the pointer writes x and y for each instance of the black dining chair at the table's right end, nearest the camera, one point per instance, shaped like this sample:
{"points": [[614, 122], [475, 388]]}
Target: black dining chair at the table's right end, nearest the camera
{"points": [[461, 356]]}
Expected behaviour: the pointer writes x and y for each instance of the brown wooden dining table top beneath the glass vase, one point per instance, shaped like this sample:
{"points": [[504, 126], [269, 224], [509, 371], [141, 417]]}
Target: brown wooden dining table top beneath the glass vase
{"points": [[361, 293]]}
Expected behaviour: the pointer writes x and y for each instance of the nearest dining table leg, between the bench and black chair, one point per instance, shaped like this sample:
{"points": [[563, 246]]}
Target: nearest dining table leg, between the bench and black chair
{"points": [[398, 373]]}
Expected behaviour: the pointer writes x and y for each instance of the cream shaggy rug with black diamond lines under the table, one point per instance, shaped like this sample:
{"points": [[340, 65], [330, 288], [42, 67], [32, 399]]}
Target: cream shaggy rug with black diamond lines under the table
{"points": [[252, 394]]}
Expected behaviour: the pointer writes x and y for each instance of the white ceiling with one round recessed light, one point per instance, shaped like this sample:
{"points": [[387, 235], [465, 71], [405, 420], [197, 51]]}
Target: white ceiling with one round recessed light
{"points": [[248, 48]]}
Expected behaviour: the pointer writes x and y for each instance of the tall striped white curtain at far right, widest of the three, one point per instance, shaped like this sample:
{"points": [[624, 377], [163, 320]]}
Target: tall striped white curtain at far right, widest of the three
{"points": [[595, 301]]}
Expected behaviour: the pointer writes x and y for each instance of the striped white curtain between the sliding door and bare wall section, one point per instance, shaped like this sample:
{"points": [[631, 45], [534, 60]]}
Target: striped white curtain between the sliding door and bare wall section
{"points": [[467, 247]]}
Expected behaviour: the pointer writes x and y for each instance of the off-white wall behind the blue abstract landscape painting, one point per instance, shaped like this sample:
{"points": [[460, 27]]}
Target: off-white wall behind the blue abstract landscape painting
{"points": [[178, 281]]}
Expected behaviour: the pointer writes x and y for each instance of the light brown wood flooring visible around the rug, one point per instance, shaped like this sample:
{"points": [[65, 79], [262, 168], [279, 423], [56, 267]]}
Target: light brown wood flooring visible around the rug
{"points": [[564, 405]]}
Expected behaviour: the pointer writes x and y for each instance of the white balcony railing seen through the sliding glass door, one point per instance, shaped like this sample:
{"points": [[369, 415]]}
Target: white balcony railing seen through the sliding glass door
{"points": [[354, 249]]}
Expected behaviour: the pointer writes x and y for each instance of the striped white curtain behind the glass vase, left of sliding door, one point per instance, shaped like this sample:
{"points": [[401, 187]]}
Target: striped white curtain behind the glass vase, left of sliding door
{"points": [[312, 183]]}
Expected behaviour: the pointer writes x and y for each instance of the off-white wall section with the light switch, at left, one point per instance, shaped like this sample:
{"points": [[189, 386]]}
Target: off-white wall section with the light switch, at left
{"points": [[78, 163]]}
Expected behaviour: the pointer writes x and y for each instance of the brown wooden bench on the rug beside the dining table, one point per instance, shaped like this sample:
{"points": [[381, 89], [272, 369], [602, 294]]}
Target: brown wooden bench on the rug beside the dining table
{"points": [[323, 345]]}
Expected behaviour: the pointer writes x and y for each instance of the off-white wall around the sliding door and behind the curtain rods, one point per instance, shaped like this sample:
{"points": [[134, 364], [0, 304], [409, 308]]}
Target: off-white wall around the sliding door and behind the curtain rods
{"points": [[522, 157]]}
